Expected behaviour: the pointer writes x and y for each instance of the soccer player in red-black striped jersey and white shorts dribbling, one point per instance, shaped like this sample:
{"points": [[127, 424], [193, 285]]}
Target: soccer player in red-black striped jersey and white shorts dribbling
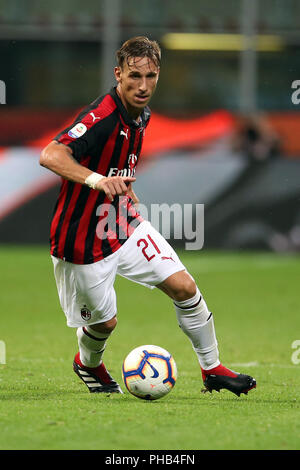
{"points": [[97, 232]]}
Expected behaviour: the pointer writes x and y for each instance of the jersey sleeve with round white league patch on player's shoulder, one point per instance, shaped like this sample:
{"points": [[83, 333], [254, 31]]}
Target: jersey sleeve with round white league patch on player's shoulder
{"points": [[81, 136]]}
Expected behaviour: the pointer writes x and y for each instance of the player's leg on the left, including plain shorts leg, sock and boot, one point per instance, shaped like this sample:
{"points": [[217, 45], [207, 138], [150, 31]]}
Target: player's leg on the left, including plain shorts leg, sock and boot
{"points": [[89, 301]]}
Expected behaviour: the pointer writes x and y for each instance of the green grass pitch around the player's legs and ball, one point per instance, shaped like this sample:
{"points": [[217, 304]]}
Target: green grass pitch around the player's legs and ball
{"points": [[255, 301]]}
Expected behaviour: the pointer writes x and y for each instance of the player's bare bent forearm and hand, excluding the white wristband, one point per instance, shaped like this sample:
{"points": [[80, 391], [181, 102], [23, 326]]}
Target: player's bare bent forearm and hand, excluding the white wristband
{"points": [[59, 158]]}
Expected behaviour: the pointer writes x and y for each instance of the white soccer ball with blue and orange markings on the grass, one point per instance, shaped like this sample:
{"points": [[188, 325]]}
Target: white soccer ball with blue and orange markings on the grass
{"points": [[149, 372]]}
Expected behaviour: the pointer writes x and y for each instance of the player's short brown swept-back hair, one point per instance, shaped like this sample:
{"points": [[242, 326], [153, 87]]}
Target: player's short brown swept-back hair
{"points": [[139, 46]]}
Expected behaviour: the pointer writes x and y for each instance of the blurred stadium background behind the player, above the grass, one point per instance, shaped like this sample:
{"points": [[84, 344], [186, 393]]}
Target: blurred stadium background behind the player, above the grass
{"points": [[225, 129]]}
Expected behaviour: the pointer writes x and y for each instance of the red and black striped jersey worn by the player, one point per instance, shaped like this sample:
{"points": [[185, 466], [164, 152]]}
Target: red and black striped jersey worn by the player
{"points": [[86, 227]]}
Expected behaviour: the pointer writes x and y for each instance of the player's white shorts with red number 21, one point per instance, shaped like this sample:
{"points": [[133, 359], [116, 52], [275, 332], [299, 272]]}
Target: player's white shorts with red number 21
{"points": [[86, 291]]}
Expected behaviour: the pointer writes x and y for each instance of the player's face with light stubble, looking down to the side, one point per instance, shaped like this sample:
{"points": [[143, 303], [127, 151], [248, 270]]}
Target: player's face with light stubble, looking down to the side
{"points": [[137, 81]]}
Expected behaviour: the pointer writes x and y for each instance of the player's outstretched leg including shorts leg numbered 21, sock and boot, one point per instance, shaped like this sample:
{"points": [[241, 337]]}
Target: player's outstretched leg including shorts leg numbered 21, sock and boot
{"points": [[156, 264]]}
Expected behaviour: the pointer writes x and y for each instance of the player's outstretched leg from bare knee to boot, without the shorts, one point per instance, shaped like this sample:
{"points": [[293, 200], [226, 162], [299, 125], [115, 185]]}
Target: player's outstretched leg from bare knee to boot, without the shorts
{"points": [[197, 322]]}
